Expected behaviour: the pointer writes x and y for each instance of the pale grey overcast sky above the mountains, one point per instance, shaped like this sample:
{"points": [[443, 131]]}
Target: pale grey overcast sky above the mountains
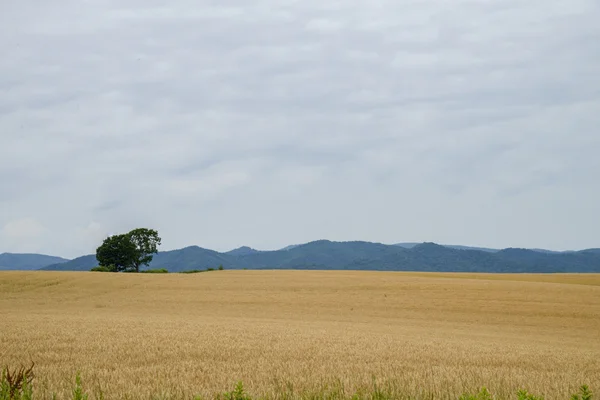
{"points": [[276, 122]]}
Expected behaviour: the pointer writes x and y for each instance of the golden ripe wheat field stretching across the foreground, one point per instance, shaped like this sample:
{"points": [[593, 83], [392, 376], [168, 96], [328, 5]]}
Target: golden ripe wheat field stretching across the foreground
{"points": [[418, 335]]}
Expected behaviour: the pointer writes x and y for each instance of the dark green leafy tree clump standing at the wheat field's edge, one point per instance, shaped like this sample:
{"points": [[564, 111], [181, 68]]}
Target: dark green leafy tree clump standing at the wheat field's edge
{"points": [[129, 251]]}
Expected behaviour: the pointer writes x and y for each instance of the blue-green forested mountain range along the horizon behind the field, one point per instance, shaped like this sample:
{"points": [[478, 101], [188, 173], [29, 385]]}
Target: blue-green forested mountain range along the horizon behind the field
{"points": [[324, 254]]}
